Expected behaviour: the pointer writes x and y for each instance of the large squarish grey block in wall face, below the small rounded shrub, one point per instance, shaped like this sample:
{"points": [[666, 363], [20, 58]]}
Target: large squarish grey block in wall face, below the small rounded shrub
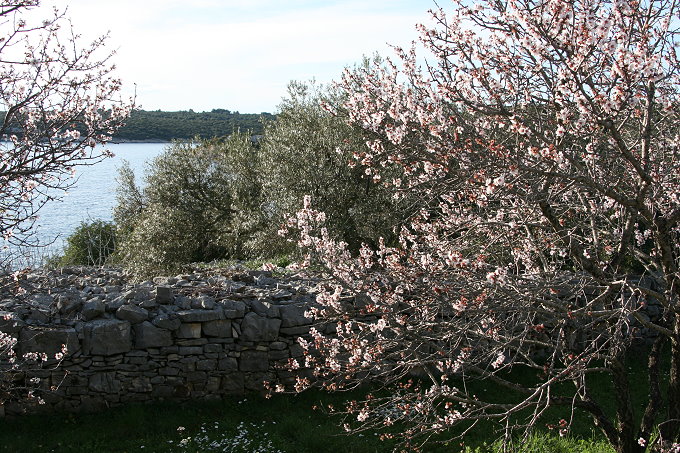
{"points": [[106, 337]]}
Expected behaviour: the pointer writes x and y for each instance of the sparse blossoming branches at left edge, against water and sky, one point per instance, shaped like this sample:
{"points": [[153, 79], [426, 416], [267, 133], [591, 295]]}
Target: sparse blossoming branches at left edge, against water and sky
{"points": [[60, 99]]}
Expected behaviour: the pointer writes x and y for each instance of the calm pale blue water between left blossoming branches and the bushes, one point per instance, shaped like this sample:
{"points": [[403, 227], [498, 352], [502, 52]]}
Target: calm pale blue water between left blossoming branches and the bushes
{"points": [[94, 194]]}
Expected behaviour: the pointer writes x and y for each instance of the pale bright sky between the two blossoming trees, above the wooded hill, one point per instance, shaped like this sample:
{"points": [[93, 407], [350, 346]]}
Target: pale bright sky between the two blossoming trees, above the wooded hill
{"points": [[239, 54]]}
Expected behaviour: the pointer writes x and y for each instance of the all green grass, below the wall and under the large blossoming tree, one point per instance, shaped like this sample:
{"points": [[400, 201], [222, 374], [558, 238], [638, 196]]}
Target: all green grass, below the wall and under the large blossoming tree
{"points": [[284, 423]]}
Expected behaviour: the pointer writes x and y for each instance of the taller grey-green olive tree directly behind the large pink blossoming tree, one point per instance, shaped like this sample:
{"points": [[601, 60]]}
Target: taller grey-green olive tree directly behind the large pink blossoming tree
{"points": [[306, 151]]}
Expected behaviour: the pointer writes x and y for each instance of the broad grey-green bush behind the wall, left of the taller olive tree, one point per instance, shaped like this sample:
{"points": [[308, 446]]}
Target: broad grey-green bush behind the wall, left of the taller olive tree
{"points": [[201, 202]]}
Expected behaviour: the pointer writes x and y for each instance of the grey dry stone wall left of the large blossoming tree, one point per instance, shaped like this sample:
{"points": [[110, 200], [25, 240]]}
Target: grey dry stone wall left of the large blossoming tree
{"points": [[193, 336]]}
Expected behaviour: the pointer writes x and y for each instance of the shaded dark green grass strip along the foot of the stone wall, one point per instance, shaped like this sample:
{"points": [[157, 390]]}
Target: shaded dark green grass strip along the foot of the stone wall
{"points": [[288, 422]]}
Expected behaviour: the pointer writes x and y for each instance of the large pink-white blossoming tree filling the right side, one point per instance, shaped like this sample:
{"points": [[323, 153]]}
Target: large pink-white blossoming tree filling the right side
{"points": [[541, 139]]}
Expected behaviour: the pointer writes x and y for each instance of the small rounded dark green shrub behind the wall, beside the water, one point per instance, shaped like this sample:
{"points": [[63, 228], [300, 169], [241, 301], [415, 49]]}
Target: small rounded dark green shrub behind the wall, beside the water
{"points": [[91, 244]]}
